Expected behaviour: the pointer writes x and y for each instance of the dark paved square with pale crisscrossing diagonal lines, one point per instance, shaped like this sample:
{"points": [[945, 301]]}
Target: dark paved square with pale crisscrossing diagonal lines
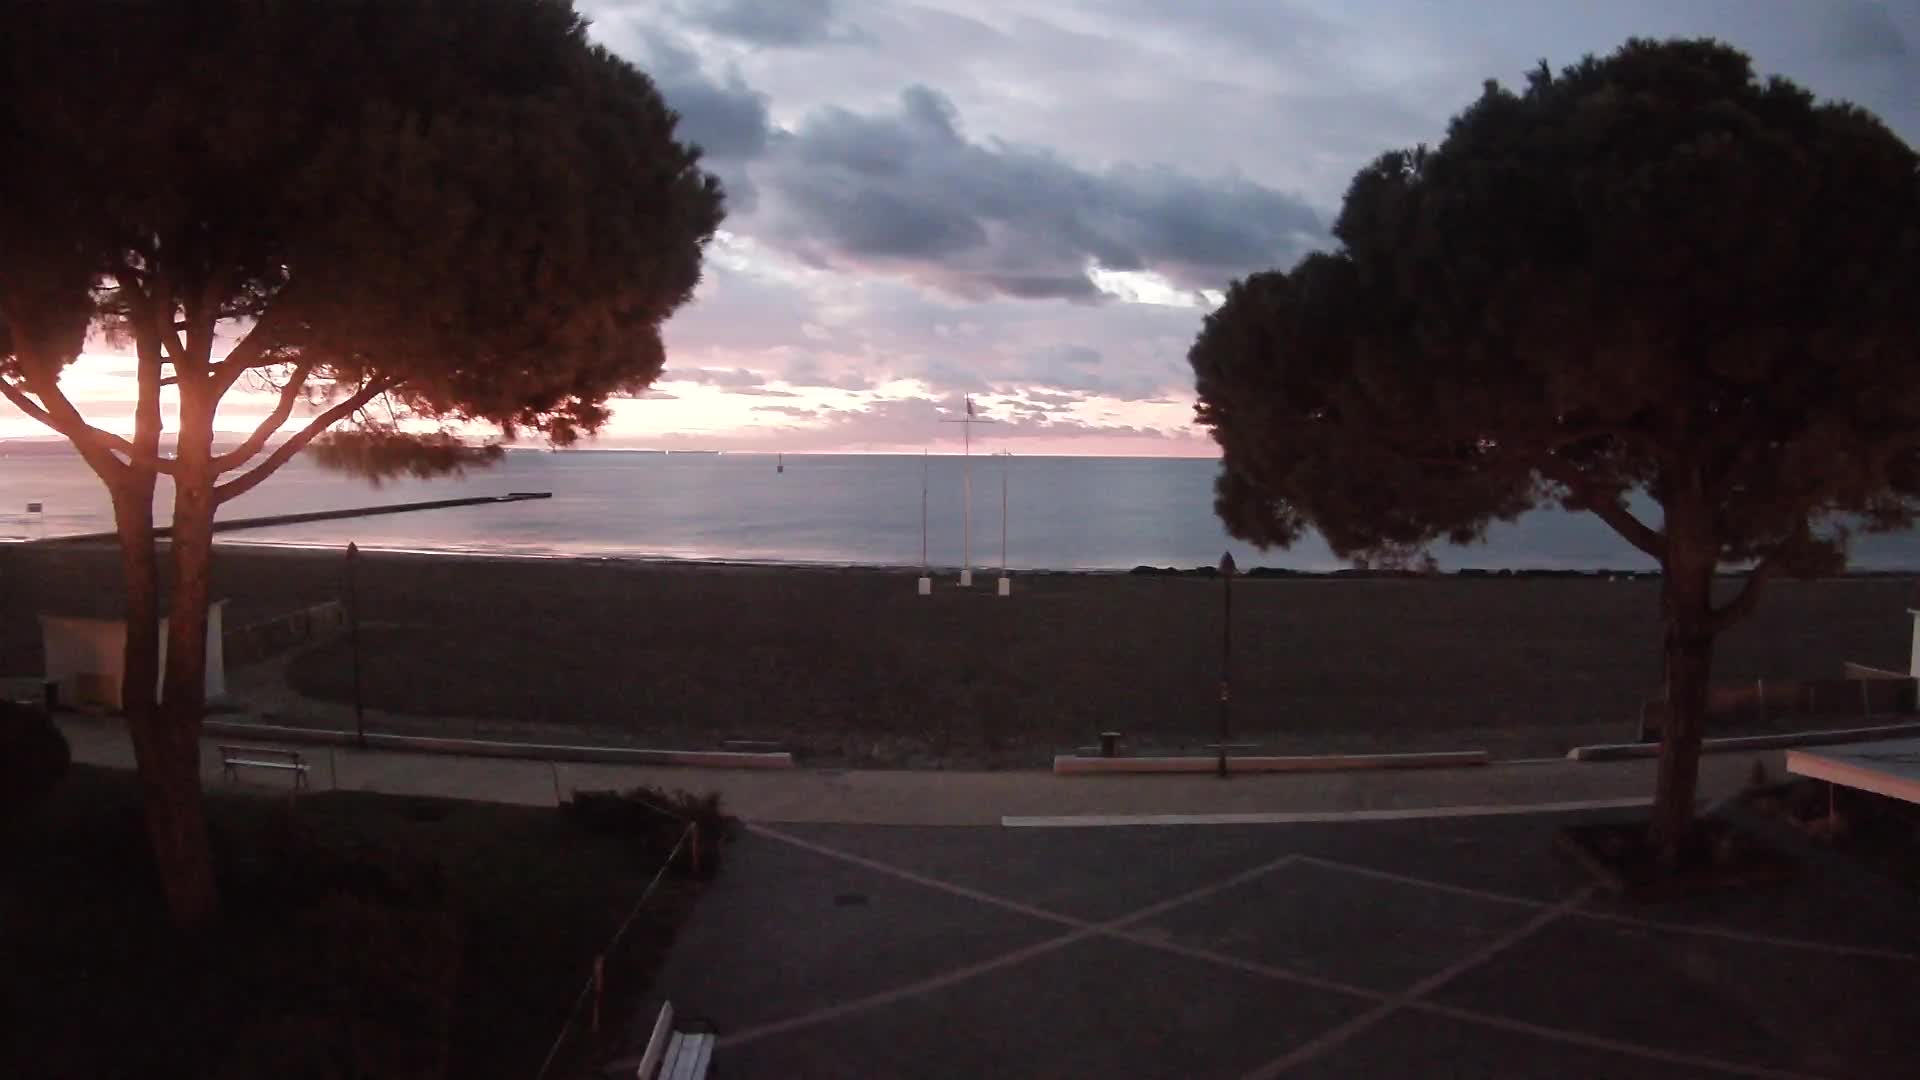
{"points": [[1443, 948]]}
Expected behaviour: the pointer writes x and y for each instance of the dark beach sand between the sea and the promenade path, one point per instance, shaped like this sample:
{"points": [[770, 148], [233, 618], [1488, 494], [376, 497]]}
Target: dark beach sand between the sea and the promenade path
{"points": [[852, 668]]}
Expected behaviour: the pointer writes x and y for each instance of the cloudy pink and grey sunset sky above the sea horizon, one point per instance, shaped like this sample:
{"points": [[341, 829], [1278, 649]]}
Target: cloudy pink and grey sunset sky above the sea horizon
{"points": [[1036, 203]]}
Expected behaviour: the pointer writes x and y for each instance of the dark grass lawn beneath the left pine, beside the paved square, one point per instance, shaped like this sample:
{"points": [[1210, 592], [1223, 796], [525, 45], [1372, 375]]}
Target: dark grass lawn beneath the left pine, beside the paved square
{"points": [[93, 983]]}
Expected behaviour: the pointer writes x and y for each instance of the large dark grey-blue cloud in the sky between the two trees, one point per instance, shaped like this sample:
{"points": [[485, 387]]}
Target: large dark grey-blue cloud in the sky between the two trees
{"points": [[911, 193]]}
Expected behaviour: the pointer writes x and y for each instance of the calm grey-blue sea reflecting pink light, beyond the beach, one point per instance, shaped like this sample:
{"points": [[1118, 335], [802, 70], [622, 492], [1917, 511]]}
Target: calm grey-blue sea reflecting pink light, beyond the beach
{"points": [[1061, 514]]}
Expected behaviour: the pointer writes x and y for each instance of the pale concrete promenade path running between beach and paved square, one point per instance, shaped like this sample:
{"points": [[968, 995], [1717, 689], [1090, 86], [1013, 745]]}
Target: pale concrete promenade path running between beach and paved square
{"points": [[961, 798]]}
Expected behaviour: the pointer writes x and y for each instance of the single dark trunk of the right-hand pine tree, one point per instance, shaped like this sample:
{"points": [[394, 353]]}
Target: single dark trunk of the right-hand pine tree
{"points": [[1689, 608]]}
